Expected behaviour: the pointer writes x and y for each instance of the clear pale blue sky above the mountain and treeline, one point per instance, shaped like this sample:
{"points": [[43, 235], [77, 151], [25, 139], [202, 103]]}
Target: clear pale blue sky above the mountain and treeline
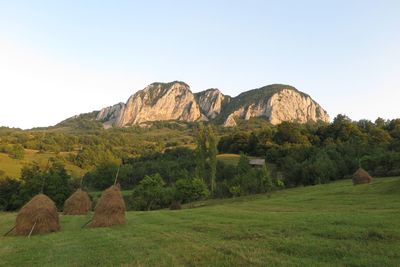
{"points": [[61, 58]]}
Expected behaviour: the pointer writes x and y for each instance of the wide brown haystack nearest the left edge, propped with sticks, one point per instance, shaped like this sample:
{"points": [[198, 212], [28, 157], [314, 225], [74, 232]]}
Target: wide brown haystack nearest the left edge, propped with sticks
{"points": [[39, 215]]}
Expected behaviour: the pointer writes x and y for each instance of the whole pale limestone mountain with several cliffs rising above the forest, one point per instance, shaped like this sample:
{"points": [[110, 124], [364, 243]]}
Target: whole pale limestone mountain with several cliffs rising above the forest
{"points": [[175, 101]]}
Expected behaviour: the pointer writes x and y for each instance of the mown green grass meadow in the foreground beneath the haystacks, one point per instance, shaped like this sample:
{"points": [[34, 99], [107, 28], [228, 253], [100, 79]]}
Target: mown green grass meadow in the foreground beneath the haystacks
{"points": [[326, 225]]}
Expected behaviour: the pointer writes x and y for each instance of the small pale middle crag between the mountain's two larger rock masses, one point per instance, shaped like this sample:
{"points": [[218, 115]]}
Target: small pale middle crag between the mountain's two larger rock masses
{"points": [[211, 102]]}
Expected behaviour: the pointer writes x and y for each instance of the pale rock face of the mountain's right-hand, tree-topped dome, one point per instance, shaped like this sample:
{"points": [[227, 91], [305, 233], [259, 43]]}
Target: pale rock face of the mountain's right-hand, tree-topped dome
{"points": [[286, 104]]}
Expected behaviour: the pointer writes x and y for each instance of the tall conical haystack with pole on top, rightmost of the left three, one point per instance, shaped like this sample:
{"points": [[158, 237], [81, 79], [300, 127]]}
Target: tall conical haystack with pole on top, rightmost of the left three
{"points": [[110, 208]]}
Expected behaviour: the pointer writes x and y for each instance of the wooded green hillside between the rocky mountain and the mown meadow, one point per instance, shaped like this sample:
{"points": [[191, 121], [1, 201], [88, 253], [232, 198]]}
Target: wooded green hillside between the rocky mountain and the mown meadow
{"points": [[176, 162]]}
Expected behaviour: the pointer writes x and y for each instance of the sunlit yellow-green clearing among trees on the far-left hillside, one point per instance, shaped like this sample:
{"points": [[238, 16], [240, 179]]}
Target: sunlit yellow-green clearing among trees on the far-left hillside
{"points": [[12, 167]]}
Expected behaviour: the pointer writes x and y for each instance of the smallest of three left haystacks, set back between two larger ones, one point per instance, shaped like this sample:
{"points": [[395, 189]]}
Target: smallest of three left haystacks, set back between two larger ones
{"points": [[78, 203]]}
